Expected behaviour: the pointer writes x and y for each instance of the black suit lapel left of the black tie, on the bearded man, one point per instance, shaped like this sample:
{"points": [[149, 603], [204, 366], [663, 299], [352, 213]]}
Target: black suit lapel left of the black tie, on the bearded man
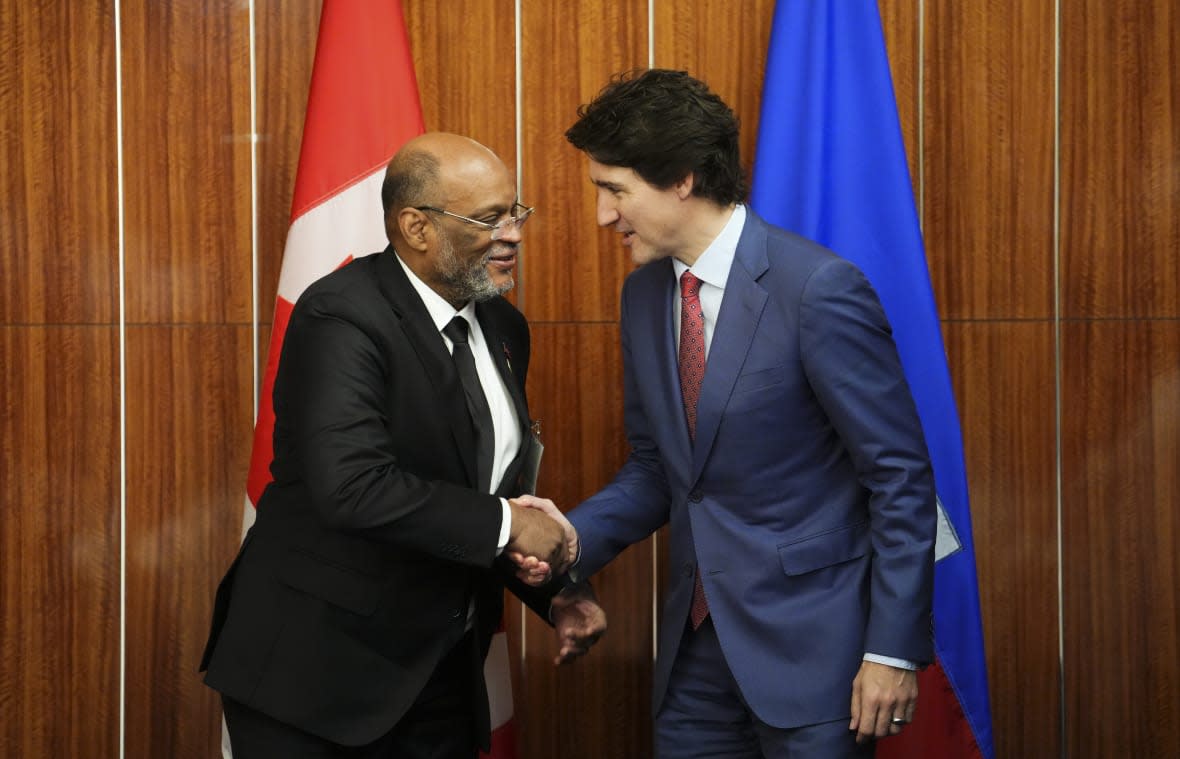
{"points": [[416, 322]]}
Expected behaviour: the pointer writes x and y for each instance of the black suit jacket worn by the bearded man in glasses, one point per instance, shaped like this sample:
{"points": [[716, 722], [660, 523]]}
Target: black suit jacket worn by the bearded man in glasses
{"points": [[373, 540]]}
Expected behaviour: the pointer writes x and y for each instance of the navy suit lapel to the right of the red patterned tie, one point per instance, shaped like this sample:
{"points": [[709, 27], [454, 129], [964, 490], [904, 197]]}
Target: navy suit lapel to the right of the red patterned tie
{"points": [[742, 310]]}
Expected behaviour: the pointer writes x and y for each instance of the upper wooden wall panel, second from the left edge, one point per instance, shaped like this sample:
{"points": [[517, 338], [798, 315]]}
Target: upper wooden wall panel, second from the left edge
{"points": [[187, 136]]}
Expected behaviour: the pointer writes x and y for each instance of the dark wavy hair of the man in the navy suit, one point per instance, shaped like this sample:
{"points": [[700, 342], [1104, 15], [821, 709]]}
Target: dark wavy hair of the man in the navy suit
{"points": [[665, 125]]}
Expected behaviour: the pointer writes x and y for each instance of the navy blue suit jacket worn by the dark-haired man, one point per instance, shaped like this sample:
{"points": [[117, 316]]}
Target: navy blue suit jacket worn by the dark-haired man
{"points": [[808, 501]]}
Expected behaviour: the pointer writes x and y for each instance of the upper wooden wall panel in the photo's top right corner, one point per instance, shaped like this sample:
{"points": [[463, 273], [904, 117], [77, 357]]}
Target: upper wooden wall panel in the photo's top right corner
{"points": [[1120, 126]]}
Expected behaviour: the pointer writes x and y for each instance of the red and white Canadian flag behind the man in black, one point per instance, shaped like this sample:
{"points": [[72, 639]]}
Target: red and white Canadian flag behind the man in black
{"points": [[362, 108]]}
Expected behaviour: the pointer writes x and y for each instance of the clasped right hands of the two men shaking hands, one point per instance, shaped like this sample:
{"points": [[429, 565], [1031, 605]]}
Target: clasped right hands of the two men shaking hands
{"points": [[542, 542]]}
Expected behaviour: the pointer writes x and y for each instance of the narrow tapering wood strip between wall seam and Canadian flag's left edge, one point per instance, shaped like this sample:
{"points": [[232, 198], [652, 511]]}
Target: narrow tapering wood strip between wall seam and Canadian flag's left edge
{"points": [[286, 35]]}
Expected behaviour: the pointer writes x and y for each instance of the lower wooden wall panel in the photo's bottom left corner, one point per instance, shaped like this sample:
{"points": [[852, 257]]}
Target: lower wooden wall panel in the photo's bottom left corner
{"points": [[60, 542]]}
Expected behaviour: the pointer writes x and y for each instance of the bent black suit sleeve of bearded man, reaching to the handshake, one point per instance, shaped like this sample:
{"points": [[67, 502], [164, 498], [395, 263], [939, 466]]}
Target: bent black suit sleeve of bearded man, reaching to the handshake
{"points": [[332, 435]]}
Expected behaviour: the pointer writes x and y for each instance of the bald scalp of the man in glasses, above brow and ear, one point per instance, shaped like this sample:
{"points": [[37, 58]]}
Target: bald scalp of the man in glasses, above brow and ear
{"points": [[430, 168]]}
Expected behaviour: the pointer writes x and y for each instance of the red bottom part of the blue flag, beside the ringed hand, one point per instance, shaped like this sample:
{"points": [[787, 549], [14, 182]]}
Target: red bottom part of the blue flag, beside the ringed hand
{"points": [[940, 729]]}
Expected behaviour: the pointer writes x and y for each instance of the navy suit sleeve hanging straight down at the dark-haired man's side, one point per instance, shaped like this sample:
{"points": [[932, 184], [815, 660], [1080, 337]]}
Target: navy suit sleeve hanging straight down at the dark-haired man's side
{"points": [[854, 368]]}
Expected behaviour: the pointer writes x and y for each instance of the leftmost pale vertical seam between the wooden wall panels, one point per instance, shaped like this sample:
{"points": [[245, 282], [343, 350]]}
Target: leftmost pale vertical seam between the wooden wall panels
{"points": [[121, 204]]}
